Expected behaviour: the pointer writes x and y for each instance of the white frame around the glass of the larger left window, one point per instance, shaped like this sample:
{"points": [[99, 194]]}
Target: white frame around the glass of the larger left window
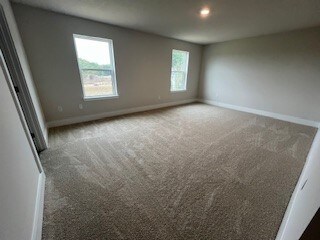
{"points": [[112, 63]]}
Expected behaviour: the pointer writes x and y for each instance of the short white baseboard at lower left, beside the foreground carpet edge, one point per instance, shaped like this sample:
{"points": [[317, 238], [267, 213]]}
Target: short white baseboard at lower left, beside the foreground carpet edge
{"points": [[38, 216]]}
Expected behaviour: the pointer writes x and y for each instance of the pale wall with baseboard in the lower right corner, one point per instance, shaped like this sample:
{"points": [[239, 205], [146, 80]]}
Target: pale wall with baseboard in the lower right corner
{"points": [[305, 200]]}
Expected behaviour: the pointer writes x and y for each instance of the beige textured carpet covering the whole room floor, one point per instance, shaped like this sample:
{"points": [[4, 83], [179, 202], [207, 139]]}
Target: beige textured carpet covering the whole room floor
{"points": [[188, 172]]}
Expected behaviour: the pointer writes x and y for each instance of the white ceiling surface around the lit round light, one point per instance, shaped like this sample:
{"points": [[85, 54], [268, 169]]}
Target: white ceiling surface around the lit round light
{"points": [[179, 19]]}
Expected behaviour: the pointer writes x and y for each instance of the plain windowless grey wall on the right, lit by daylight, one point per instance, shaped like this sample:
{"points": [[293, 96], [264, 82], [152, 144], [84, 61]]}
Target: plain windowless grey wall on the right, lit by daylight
{"points": [[277, 73]]}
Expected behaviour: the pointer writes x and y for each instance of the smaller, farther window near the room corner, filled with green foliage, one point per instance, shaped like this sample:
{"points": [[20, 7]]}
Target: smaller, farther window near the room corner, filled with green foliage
{"points": [[179, 70]]}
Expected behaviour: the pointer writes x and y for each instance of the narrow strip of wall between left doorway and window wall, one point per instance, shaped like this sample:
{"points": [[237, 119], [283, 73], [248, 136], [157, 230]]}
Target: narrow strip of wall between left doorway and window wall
{"points": [[24, 65]]}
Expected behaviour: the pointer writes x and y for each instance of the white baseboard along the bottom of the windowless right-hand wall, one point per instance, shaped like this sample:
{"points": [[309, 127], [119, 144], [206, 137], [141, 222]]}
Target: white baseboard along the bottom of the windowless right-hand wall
{"points": [[279, 116]]}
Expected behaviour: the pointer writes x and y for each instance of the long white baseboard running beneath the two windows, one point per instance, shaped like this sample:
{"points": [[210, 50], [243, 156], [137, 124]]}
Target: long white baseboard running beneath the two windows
{"points": [[87, 118]]}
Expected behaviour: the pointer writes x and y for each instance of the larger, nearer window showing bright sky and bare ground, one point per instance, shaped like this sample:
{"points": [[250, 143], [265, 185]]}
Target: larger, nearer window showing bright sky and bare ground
{"points": [[96, 66]]}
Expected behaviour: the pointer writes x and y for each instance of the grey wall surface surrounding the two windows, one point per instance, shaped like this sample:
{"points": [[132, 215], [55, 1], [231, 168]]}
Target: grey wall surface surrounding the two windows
{"points": [[143, 64]]}
